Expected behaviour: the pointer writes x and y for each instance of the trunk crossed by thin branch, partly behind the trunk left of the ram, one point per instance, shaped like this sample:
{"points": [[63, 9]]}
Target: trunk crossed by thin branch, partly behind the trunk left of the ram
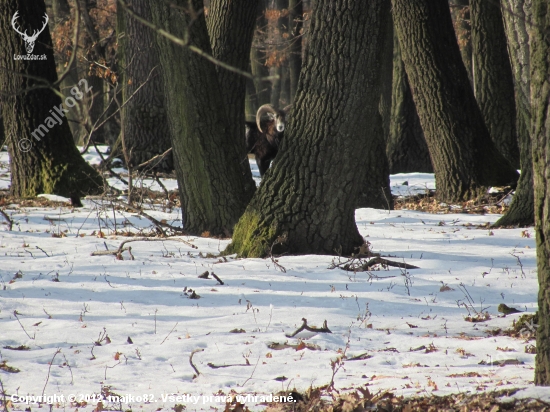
{"points": [[230, 28]]}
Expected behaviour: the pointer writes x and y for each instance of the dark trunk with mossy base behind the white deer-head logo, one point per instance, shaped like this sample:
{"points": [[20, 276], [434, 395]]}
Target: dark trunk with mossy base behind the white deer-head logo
{"points": [[43, 157]]}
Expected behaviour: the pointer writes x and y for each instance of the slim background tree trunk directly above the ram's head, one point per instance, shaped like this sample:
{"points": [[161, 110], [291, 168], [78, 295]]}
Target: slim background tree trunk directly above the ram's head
{"points": [[258, 57]]}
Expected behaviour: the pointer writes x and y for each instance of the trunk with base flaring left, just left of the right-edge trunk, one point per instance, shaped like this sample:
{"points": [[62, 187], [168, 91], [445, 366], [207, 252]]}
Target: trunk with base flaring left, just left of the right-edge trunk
{"points": [[517, 22]]}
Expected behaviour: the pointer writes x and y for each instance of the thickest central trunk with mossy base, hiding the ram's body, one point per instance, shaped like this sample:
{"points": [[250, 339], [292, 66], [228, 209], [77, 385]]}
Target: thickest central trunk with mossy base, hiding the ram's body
{"points": [[307, 200]]}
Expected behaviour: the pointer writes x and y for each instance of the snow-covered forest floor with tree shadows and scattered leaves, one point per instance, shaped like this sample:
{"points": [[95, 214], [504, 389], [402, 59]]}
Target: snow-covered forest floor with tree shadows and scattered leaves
{"points": [[98, 325]]}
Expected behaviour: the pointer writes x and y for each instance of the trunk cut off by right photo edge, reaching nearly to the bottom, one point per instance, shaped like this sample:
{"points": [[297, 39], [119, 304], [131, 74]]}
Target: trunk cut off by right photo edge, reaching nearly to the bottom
{"points": [[540, 94]]}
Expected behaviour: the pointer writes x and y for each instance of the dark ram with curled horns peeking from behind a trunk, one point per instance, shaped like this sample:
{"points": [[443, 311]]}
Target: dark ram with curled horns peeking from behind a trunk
{"points": [[264, 136]]}
